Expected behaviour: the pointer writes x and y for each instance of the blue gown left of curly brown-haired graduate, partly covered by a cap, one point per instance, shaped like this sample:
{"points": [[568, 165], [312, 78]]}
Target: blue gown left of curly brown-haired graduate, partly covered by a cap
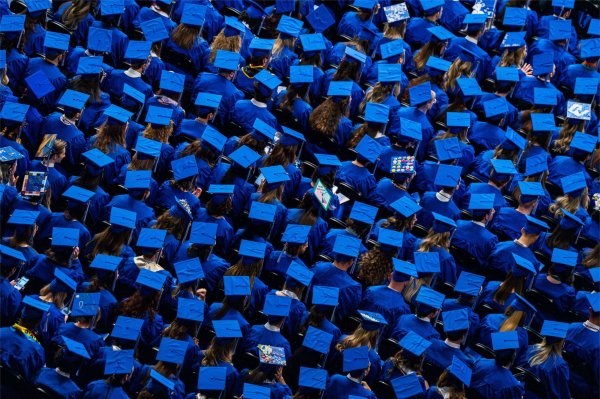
{"points": [[326, 273]]}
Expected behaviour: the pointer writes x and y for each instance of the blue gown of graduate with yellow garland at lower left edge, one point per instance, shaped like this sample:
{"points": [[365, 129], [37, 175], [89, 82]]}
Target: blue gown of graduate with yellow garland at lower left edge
{"points": [[20, 353]]}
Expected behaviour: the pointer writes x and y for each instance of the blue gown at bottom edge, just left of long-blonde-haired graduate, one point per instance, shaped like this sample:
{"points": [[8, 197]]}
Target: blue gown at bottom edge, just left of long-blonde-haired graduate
{"points": [[495, 382]]}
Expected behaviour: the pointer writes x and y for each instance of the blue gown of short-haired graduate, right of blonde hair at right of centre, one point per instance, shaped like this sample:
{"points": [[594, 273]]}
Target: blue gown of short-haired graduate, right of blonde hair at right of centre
{"points": [[475, 239]]}
